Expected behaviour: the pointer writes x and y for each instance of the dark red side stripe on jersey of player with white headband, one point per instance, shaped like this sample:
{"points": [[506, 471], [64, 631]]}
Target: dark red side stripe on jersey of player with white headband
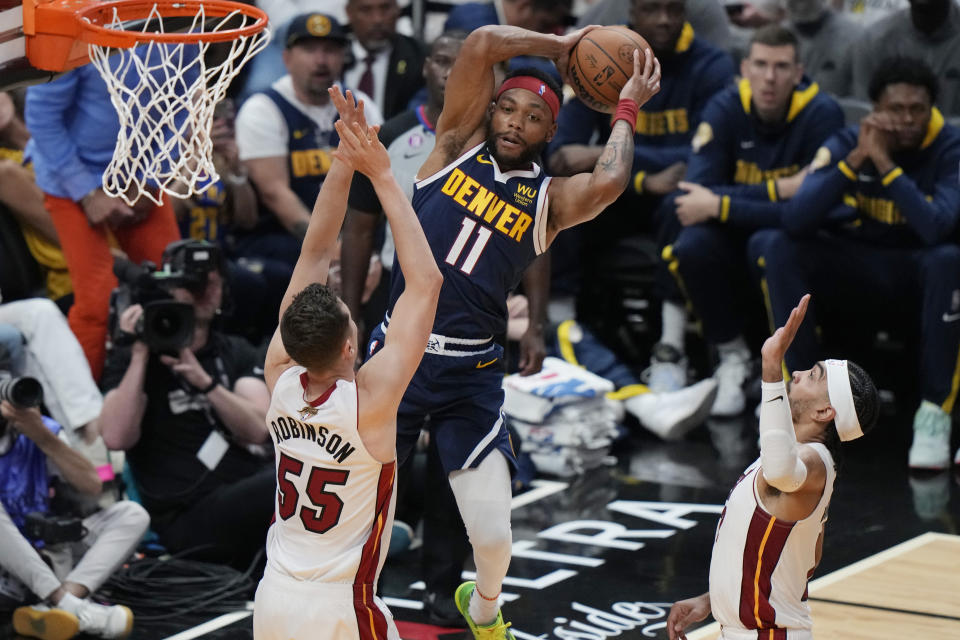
{"points": [[766, 537]]}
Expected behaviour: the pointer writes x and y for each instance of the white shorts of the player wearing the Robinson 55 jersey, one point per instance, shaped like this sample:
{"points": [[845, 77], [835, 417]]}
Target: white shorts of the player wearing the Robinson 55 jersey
{"points": [[289, 609]]}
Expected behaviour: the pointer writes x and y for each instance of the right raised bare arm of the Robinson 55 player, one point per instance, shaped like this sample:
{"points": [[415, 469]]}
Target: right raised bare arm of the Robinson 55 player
{"points": [[383, 380]]}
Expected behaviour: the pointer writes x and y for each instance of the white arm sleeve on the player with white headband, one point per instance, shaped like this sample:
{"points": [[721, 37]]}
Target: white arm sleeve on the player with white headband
{"points": [[779, 453]]}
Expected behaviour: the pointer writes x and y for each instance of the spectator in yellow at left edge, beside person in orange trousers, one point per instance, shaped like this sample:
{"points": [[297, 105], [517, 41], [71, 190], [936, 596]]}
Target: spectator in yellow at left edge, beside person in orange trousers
{"points": [[21, 196]]}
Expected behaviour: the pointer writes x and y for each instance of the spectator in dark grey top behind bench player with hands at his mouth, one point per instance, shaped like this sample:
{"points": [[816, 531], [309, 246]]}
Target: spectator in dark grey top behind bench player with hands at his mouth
{"points": [[928, 30]]}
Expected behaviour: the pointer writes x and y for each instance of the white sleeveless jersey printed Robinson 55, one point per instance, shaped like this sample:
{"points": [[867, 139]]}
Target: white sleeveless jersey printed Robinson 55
{"points": [[335, 502]]}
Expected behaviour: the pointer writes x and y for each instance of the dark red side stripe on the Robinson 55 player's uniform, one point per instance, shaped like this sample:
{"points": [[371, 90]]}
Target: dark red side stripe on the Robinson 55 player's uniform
{"points": [[371, 622]]}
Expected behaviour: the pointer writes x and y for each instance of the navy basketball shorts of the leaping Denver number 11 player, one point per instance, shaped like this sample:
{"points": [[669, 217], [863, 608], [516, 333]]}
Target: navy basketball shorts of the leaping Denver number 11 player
{"points": [[456, 394]]}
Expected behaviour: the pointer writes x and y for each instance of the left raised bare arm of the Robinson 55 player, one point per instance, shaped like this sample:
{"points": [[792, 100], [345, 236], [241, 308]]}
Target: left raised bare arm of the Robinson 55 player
{"points": [[321, 236]]}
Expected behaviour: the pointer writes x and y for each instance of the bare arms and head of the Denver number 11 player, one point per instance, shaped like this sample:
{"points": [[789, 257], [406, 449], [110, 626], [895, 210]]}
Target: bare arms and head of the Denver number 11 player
{"points": [[469, 119]]}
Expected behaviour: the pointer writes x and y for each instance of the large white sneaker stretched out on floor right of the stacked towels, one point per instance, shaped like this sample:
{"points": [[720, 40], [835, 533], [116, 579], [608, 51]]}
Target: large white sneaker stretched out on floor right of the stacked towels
{"points": [[673, 414]]}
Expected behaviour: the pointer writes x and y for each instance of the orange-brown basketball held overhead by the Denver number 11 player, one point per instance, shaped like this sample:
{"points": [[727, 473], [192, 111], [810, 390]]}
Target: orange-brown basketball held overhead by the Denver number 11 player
{"points": [[601, 63]]}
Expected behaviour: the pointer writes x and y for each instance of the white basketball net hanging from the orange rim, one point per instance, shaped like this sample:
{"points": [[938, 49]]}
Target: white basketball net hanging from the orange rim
{"points": [[165, 95]]}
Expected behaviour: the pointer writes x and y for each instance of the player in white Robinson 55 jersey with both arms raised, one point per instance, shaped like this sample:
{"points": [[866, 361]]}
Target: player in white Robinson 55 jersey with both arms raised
{"points": [[334, 431]]}
